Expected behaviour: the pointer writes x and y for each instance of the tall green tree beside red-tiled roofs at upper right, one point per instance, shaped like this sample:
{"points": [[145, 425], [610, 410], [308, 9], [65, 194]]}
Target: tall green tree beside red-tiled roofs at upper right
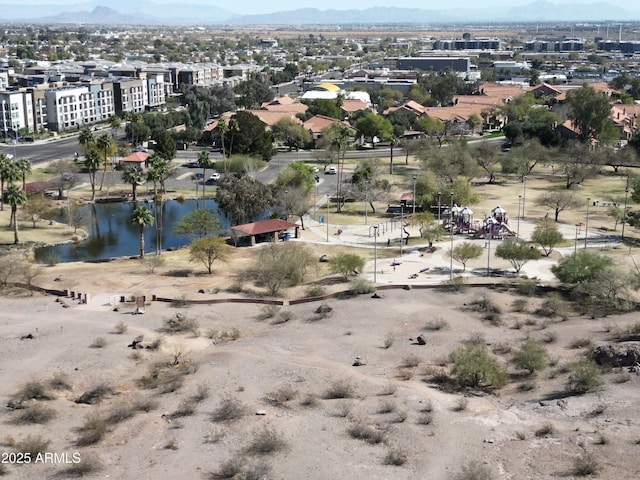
{"points": [[590, 112]]}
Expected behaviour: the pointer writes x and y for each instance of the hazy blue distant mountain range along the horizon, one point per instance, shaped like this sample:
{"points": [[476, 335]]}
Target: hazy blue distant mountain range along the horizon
{"points": [[123, 12]]}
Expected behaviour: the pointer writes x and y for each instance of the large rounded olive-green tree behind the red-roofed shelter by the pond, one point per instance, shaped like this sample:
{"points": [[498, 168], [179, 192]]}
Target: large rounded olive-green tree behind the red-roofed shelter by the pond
{"points": [[243, 199]]}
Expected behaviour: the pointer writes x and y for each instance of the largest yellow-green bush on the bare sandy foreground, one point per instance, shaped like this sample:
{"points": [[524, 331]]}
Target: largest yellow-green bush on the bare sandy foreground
{"points": [[475, 367]]}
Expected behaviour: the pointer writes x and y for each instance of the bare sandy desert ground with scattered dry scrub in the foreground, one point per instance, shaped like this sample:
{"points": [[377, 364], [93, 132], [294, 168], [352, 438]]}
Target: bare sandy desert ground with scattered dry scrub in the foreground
{"points": [[152, 419]]}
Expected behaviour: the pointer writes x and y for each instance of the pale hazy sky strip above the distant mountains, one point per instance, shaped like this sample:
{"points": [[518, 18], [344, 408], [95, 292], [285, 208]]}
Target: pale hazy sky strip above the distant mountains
{"points": [[250, 7]]}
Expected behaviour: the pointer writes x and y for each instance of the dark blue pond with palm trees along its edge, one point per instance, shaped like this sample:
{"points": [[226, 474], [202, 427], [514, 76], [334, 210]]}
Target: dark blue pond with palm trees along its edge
{"points": [[112, 235]]}
